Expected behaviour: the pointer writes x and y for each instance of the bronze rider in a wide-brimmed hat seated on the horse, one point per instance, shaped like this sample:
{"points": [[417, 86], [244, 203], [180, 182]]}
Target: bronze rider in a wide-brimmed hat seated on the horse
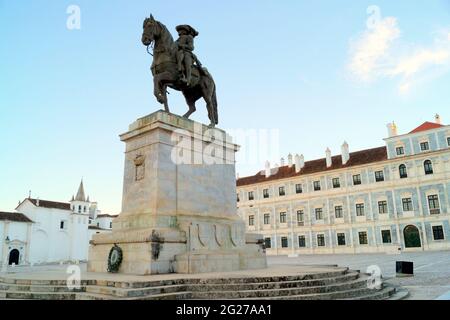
{"points": [[185, 55]]}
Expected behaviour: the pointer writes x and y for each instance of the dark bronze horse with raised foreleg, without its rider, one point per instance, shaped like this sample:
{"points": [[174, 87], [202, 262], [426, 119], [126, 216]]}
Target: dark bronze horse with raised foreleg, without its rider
{"points": [[166, 74]]}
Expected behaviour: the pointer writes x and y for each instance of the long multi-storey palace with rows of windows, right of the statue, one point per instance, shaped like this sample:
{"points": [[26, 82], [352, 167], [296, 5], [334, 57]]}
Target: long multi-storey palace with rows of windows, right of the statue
{"points": [[387, 199]]}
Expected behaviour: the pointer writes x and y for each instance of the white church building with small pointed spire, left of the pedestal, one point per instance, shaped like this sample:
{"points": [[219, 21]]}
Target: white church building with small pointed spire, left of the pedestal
{"points": [[45, 231]]}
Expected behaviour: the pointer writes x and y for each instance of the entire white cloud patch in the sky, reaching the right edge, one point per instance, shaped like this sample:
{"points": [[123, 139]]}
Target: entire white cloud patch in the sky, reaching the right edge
{"points": [[374, 56]]}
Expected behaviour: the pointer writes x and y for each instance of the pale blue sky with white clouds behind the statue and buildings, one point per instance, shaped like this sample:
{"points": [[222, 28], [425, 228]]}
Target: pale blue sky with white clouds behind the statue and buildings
{"points": [[313, 70]]}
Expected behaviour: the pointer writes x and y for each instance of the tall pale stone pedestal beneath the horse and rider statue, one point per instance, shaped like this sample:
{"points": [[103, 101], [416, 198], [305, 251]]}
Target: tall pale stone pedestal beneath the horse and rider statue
{"points": [[179, 211]]}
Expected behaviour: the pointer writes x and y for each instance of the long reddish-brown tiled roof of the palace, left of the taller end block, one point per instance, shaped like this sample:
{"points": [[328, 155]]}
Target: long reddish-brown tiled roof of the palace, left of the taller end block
{"points": [[356, 158]]}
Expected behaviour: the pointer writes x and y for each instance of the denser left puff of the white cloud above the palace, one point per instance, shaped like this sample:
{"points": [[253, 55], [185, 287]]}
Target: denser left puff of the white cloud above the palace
{"points": [[369, 50]]}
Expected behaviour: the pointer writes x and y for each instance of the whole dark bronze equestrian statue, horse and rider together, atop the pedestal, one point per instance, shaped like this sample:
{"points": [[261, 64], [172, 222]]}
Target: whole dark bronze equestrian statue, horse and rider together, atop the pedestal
{"points": [[176, 66]]}
